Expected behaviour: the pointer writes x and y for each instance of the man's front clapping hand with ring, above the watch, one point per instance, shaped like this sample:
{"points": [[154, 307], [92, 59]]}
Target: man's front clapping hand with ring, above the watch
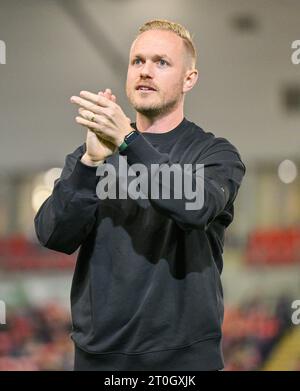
{"points": [[103, 116]]}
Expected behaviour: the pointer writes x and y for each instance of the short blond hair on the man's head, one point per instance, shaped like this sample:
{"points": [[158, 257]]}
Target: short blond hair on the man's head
{"points": [[178, 29]]}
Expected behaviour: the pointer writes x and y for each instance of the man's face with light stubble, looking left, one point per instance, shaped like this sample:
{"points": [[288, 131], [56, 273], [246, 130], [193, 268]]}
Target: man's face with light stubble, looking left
{"points": [[157, 60]]}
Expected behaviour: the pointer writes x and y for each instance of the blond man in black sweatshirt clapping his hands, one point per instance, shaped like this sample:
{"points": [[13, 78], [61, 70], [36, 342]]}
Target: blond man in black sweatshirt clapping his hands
{"points": [[146, 292]]}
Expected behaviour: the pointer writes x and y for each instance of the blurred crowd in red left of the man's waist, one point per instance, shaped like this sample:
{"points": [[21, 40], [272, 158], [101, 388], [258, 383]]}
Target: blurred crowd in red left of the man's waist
{"points": [[36, 338]]}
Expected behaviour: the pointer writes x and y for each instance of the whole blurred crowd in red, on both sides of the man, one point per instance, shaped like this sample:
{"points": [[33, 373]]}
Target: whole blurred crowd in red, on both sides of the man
{"points": [[38, 338]]}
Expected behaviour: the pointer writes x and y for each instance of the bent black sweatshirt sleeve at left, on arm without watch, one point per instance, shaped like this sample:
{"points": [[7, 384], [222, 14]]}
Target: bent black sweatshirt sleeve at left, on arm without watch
{"points": [[66, 217]]}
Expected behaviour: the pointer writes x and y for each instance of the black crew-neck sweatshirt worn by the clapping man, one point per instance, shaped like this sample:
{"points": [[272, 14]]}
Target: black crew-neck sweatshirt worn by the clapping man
{"points": [[146, 291]]}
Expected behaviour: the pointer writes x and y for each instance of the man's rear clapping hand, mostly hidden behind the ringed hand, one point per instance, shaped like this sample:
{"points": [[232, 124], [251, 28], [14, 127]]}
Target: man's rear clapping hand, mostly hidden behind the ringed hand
{"points": [[98, 149]]}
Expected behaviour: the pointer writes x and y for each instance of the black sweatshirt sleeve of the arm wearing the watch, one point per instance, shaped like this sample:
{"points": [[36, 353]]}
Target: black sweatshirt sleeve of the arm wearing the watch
{"points": [[222, 177]]}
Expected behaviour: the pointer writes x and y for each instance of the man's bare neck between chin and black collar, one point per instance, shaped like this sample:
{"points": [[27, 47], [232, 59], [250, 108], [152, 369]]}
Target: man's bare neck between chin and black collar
{"points": [[160, 124]]}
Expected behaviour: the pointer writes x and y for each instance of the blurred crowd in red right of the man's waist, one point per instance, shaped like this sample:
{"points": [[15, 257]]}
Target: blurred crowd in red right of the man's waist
{"points": [[251, 331]]}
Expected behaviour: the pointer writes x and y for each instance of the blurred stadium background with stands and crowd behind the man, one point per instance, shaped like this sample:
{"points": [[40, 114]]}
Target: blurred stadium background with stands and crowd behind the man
{"points": [[248, 92]]}
